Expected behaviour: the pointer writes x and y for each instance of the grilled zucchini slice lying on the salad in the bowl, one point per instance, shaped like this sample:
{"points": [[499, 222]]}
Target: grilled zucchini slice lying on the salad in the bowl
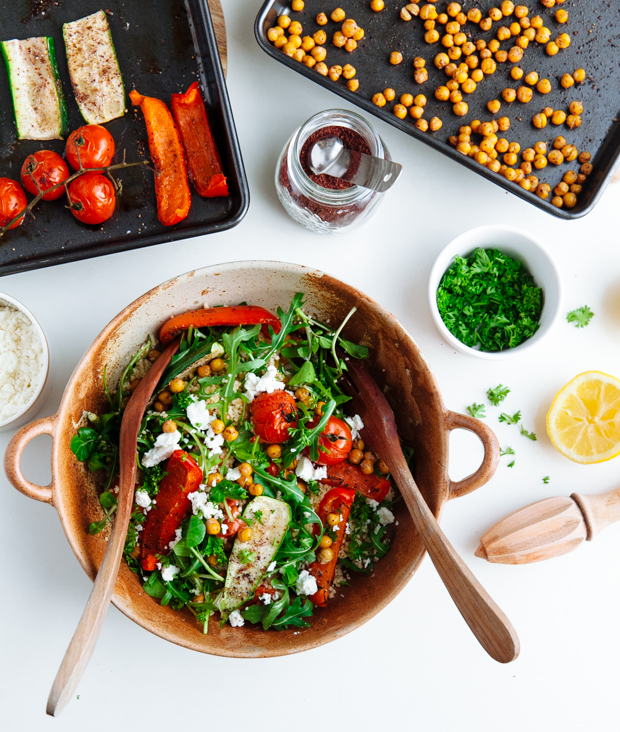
{"points": [[249, 560]]}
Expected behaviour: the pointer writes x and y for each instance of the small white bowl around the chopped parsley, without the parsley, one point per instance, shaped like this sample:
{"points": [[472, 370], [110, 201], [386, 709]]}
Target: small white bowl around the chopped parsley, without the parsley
{"points": [[517, 245]]}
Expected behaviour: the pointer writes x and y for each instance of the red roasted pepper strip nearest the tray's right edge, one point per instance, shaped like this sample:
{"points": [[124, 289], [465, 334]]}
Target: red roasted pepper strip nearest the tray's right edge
{"points": [[203, 159]]}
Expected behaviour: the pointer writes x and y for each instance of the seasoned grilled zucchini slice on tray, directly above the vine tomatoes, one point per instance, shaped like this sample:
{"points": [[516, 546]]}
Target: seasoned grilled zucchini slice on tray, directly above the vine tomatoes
{"points": [[93, 68]]}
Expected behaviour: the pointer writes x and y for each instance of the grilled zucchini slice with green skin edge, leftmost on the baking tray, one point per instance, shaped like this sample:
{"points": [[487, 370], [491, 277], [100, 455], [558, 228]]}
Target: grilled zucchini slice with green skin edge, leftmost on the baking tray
{"points": [[38, 101]]}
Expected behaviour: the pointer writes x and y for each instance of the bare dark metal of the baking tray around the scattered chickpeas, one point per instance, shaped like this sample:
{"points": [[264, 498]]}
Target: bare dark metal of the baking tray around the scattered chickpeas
{"points": [[595, 33]]}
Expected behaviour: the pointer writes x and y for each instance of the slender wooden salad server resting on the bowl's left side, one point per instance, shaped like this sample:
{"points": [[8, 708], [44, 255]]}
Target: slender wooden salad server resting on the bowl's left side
{"points": [[87, 632]]}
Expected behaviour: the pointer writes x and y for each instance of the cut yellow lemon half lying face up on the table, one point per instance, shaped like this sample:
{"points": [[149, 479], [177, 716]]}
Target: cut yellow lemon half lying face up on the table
{"points": [[584, 420]]}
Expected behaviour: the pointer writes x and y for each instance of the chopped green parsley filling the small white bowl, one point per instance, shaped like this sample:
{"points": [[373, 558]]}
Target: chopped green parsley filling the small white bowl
{"points": [[489, 301]]}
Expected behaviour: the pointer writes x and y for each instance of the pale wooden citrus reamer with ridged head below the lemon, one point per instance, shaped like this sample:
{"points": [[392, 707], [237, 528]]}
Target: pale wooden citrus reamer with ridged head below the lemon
{"points": [[549, 528]]}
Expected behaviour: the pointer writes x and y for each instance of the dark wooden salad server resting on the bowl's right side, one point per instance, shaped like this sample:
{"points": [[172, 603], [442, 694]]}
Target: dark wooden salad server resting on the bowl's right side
{"points": [[487, 622]]}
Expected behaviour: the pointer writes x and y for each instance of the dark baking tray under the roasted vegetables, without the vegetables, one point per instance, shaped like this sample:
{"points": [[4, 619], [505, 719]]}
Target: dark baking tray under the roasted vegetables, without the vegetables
{"points": [[157, 56]]}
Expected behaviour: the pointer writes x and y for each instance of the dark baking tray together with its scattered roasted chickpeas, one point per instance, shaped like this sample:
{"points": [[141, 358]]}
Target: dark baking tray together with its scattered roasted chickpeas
{"points": [[524, 94]]}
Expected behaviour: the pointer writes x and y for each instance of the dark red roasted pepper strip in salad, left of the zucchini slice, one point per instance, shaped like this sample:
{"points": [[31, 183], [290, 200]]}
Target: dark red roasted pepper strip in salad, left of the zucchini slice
{"points": [[184, 476]]}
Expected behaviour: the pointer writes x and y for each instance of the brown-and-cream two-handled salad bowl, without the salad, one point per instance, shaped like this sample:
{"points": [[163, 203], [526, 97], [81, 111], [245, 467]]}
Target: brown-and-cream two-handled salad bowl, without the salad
{"points": [[395, 362]]}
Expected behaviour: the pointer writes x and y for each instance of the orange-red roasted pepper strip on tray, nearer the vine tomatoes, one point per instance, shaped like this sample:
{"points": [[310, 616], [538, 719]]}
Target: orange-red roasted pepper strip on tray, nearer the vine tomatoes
{"points": [[171, 187]]}
